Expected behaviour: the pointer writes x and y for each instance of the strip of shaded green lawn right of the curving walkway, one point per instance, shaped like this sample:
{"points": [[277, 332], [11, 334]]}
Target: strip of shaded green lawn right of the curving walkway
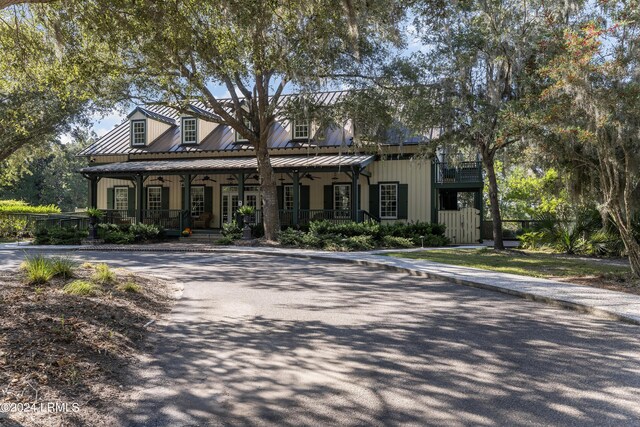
{"points": [[536, 264]]}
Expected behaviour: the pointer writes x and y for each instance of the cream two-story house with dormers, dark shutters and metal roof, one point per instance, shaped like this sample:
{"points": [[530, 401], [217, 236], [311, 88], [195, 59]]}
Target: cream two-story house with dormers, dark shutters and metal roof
{"points": [[175, 170]]}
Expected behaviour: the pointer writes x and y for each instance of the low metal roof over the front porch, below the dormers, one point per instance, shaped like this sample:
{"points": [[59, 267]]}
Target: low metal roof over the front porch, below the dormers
{"points": [[326, 163]]}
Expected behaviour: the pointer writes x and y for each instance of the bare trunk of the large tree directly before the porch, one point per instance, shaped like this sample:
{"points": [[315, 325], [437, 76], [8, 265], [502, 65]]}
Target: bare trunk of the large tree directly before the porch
{"points": [[269, 192]]}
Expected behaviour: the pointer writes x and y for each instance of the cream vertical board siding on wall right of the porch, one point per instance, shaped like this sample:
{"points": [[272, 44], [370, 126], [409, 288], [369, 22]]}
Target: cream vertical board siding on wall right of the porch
{"points": [[416, 174]]}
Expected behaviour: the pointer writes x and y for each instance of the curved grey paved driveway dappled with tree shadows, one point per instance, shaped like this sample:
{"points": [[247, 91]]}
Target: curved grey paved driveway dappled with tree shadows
{"points": [[259, 340]]}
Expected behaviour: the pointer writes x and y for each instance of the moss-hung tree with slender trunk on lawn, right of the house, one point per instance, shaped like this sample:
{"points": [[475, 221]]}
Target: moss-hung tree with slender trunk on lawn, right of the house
{"points": [[480, 66]]}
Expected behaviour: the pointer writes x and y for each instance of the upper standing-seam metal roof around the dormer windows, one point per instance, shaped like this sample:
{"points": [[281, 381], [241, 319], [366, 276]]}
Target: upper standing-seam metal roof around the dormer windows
{"points": [[222, 138]]}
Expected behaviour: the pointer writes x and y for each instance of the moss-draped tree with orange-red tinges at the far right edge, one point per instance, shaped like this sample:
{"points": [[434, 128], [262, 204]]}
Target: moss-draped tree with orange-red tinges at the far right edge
{"points": [[594, 113]]}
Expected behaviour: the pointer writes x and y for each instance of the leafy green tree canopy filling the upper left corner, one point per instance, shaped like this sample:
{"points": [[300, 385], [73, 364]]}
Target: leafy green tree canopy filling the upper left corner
{"points": [[47, 87]]}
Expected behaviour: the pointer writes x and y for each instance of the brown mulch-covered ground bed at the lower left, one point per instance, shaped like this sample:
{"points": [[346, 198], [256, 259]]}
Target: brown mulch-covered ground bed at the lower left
{"points": [[64, 358]]}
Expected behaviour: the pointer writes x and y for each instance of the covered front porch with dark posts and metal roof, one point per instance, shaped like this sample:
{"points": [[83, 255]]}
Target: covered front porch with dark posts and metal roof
{"points": [[155, 192]]}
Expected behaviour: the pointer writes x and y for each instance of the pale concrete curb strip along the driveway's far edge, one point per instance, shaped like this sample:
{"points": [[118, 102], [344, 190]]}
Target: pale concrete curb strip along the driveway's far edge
{"points": [[557, 302]]}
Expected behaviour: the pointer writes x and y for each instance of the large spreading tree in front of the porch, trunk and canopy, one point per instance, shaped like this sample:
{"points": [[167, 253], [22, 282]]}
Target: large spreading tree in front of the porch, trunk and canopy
{"points": [[178, 50]]}
